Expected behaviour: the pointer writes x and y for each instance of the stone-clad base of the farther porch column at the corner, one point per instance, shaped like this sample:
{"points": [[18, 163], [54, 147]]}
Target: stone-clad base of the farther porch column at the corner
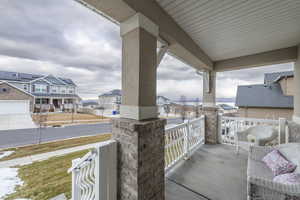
{"points": [[211, 125]]}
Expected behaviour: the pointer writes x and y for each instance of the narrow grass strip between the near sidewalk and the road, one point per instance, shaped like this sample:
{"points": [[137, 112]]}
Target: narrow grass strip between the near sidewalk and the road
{"points": [[53, 146]]}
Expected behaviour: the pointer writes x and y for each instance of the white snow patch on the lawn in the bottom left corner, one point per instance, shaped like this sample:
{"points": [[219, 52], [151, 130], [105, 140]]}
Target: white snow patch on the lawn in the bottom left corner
{"points": [[8, 181]]}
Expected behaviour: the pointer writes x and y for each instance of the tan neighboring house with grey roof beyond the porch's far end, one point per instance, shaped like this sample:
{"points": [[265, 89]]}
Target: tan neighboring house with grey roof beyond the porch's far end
{"points": [[273, 99]]}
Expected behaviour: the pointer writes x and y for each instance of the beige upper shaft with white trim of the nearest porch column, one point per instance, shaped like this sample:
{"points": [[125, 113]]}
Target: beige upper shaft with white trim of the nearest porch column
{"points": [[139, 40]]}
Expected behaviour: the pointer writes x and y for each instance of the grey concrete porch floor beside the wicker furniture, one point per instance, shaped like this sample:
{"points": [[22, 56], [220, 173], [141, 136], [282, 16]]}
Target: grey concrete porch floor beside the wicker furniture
{"points": [[213, 172]]}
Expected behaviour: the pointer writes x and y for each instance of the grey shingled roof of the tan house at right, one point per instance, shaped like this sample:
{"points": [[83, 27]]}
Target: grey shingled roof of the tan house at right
{"points": [[270, 96]]}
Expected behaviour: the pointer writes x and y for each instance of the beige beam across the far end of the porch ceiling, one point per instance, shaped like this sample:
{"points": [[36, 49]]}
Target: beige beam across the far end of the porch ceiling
{"points": [[261, 59]]}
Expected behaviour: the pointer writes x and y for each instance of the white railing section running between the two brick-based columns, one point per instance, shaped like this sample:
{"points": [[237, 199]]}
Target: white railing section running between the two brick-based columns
{"points": [[181, 140]]}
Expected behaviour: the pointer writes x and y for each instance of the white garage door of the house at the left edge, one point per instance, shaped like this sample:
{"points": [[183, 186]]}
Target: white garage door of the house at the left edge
{"points": [[14, 107]]}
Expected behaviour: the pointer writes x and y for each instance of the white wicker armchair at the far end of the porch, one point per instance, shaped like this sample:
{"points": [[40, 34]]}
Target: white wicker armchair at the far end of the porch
{"points": [[257, 135]]}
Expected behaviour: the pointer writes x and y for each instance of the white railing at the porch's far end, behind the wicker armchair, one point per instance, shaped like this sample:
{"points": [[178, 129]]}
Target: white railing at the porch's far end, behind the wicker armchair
{"points": [[229, 125]]}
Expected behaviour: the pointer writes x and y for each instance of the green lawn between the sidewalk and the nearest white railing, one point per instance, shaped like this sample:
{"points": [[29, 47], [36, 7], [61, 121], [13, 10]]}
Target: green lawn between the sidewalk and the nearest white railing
{"points": [[46, 179]]}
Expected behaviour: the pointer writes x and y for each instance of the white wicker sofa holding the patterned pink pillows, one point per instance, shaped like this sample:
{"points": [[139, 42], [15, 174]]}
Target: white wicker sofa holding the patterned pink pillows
{"points": [[260, 184]]}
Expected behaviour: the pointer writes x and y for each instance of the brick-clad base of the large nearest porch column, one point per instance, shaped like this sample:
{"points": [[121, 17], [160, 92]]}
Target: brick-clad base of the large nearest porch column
{"points": [[141, 160]]}
